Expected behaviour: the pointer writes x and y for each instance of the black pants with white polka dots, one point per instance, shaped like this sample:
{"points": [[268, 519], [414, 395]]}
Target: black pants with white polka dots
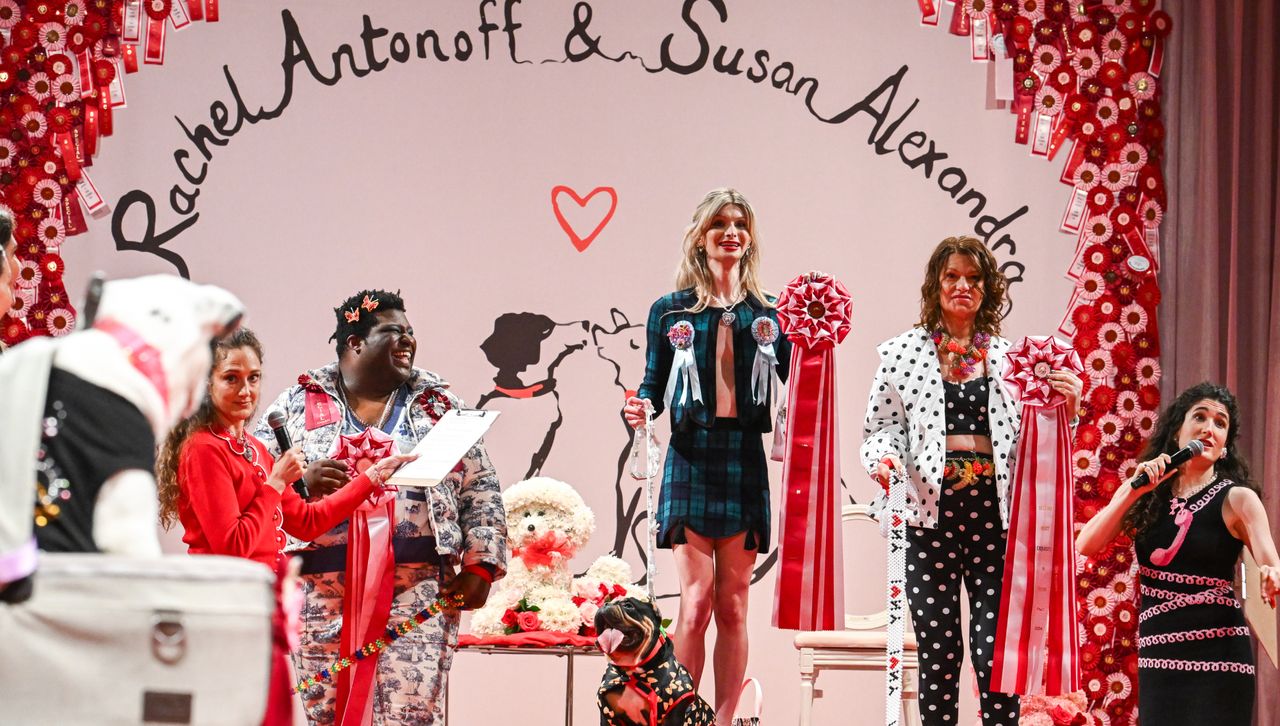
{"points": [[968, 545]]}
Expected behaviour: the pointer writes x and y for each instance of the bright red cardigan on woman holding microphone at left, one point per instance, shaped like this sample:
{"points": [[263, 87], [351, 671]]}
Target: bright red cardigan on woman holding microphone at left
{"points": [[227, 509]]}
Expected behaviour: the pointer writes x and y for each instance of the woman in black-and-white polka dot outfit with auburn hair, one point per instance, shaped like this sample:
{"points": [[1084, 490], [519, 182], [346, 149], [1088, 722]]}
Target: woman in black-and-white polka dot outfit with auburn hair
{"points": [[940, 414]]}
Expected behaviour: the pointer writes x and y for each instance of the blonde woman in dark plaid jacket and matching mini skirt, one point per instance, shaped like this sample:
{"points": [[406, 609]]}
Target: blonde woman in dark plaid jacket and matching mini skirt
{"points": [[712, 349]]}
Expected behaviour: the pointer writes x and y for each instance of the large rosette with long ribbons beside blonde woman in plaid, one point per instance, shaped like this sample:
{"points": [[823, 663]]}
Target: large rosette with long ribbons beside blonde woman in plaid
{"points": [[815, 313]]}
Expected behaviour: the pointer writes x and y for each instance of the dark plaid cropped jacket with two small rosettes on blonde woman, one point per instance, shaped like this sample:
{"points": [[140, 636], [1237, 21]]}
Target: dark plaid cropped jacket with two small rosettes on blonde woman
{"points": [[674, 308]]}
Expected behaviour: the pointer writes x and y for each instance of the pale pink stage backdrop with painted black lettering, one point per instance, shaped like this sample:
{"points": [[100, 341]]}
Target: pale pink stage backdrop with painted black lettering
{"points": [[436, 179]]}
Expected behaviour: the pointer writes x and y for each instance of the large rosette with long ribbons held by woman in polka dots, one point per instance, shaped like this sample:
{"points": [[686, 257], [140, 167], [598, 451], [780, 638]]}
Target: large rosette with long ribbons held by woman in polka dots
{"points": [[1037, 651]]}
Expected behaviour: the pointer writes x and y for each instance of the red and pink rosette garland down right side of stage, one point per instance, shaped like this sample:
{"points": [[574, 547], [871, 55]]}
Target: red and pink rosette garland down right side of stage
{"points": [[1085, 80]]}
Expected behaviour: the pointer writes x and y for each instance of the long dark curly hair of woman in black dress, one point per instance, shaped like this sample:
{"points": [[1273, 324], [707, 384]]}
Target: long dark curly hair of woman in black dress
{"points": [[1164, 440]]}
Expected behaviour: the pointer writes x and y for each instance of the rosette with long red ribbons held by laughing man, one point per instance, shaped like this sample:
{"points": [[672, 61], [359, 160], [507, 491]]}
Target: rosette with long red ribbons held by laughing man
{"points": [[371, 578]]}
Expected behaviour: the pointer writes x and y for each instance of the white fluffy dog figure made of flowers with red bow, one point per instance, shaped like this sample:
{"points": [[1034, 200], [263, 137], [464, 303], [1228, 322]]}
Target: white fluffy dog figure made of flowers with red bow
{"points": [[547, 524]]}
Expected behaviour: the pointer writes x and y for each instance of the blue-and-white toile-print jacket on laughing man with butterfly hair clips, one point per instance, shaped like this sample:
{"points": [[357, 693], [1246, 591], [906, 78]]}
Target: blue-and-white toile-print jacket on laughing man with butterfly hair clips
{"points": [[467, 506]]}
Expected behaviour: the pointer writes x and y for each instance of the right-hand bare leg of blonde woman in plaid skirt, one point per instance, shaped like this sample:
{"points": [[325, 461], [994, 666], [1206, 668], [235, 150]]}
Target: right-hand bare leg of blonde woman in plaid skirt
{"points": [[734, 568]]}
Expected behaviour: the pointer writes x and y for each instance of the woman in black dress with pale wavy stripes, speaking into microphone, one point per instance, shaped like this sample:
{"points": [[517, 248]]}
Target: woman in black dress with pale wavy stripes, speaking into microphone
{"points": [[1190, 523]]}
